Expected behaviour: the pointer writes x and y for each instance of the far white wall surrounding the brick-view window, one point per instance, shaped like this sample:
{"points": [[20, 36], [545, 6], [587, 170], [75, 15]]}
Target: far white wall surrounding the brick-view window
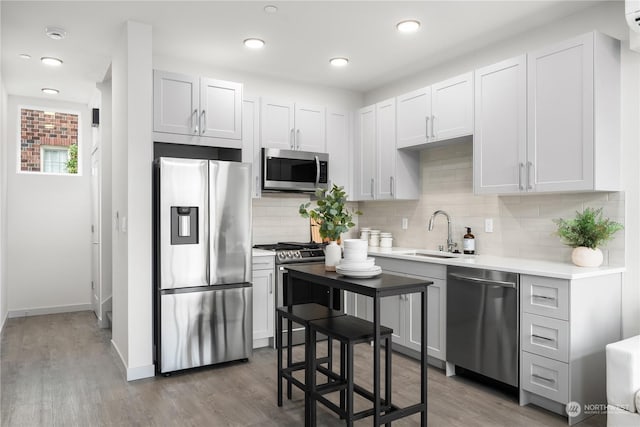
{"points": [[48, 229]]}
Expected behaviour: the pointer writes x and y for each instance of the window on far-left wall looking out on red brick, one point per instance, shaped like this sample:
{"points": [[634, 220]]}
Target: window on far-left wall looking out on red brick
{"points": [[49, 141]]}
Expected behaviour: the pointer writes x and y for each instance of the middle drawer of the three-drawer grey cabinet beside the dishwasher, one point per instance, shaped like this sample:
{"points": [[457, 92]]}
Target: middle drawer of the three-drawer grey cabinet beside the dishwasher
{"points": [[545, 336]]}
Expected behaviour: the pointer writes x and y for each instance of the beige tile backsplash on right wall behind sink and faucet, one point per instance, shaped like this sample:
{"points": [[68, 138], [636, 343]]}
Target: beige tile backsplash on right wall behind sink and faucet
{"points": [[522, 225]]}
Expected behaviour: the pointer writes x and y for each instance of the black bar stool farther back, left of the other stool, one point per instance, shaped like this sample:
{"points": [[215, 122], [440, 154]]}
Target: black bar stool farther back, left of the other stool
{"points": [[301, 314]]}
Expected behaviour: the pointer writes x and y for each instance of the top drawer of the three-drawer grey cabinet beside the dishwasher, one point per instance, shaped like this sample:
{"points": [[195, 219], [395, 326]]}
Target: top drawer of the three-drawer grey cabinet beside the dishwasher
{"points": [[545, 296]]}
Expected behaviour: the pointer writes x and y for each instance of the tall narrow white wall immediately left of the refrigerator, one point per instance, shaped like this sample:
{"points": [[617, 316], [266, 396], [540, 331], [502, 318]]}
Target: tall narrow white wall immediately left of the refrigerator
{"points": [[131, 200]]}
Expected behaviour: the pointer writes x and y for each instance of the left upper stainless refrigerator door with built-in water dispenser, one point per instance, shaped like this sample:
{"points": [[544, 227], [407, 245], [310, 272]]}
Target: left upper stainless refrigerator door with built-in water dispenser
{"points": [[183, 211]]}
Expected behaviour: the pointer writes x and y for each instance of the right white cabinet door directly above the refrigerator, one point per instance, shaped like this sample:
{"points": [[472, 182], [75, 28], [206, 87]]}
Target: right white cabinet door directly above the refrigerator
{"points": [[220, 109]]}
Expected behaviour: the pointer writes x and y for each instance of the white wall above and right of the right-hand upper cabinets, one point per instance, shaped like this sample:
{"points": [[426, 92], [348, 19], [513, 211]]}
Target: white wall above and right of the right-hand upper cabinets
{"points": [[609, 19]]}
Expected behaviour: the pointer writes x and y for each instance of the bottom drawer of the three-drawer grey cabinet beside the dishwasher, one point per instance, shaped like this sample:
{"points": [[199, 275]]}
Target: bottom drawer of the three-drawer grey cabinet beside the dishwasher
{"points": [[545, 377]]}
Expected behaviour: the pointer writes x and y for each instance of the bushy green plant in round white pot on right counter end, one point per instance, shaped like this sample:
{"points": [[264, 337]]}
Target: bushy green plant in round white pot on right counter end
{"points": [[585, 233]]}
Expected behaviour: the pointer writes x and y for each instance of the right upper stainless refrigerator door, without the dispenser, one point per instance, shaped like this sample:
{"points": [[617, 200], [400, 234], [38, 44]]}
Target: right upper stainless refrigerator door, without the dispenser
{"points": [[229, 222]]}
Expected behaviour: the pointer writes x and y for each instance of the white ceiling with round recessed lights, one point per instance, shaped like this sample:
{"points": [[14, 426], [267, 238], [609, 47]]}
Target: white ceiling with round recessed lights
{"points": [[300, 37]]}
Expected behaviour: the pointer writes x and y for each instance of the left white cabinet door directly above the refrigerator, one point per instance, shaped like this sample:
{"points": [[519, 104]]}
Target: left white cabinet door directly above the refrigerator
{"points": [[175, 103]]}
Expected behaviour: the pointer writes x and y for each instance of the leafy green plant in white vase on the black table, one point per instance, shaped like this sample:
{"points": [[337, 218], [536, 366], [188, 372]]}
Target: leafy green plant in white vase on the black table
{"points": [[334, 219]]}
